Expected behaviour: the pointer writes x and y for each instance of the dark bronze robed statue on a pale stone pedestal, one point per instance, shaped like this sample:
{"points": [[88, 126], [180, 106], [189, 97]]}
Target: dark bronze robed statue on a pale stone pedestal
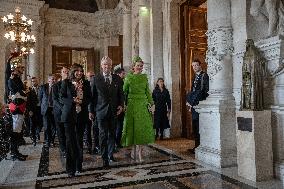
{"points": [[253, 74]]}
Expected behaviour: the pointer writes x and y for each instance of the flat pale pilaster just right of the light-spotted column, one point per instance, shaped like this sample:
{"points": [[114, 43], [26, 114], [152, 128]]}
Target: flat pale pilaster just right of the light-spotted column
{"points": [[156, 41]]}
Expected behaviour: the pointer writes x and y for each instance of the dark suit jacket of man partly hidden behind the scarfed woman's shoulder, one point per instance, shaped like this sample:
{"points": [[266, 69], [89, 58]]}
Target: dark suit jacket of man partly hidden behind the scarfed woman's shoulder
{"points": [[57, 102]]}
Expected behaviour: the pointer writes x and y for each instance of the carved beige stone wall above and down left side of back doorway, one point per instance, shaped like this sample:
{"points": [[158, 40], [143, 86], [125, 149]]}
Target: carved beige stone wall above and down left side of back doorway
{"points": [[81, 30]]}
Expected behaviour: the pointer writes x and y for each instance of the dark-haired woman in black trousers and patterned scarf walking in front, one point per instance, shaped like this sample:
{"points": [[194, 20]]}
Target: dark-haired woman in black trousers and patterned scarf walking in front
{"points": [[75, 94]]}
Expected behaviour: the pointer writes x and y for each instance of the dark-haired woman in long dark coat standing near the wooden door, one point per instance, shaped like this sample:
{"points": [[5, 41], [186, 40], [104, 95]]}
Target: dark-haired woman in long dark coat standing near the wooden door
{"points": [[162, 100]]}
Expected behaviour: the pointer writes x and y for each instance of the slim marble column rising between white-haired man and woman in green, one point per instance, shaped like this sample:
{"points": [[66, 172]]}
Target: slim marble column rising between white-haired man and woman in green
{"points": [[127, 38]]}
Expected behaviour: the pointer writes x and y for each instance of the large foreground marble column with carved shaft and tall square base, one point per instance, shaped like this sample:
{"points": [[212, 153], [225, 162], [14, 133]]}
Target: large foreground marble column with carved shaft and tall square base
{"points": [[217, 113]]}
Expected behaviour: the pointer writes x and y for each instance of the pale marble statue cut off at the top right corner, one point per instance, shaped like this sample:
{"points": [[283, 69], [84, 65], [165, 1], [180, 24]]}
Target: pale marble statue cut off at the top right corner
{"points": [[275, 17]]}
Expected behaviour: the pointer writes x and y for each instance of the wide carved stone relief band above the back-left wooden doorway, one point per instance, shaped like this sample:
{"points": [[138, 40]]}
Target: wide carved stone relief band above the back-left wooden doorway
{"points": [[102, 24]]}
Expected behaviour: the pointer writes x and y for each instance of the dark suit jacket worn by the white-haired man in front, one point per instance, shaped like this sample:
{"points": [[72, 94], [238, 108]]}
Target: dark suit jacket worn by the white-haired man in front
{"points": [[105, 97]]}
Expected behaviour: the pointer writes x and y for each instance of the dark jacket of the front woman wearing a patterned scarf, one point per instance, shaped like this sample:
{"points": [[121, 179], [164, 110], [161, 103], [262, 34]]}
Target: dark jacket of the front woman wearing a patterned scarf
{"points": [[67, 93]]}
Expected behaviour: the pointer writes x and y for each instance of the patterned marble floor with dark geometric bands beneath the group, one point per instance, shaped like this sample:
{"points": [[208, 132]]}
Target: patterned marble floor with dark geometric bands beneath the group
{"points": [[162, 168]]}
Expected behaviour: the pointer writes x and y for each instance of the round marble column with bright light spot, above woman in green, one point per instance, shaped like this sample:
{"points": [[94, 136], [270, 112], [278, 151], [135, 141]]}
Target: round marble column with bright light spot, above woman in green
{"points": [[144, 35]]}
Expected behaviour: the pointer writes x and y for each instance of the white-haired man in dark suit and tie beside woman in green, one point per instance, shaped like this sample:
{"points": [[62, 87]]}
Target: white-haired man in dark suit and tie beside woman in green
{"points": [[107, 103]]}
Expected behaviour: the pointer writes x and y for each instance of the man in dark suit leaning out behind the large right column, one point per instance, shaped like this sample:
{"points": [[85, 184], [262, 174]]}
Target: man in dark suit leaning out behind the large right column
{"points": [[199, 92]]}
